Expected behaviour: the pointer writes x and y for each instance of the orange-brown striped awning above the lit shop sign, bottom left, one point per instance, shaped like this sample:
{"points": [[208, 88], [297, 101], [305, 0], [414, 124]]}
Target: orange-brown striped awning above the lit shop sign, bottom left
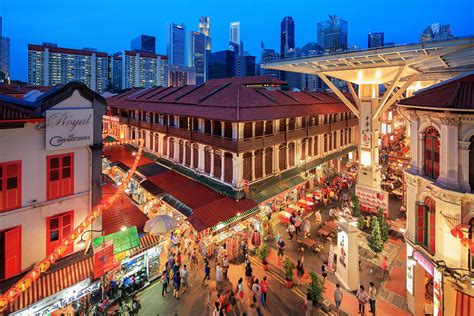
{"points": [[53, 282]]}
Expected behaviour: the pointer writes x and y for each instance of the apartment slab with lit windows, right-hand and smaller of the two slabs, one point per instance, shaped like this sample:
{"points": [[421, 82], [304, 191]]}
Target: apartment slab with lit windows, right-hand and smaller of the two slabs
{"points": [[139, 69]]}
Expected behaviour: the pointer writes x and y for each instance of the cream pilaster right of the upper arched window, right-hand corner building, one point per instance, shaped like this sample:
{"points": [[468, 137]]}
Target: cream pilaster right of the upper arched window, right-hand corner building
{"points": [[448, 171]]}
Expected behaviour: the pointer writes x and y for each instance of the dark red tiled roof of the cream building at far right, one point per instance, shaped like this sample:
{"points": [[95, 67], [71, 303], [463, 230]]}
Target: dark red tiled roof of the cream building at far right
{"points": [[456, 94]]}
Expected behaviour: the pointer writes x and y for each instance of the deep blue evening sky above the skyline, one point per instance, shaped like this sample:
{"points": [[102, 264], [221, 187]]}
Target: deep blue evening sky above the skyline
{"points": [[110, 25]]}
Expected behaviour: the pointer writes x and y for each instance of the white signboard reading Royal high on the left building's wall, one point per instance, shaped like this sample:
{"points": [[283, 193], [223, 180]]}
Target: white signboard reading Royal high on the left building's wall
{"points": [[69, 128]]}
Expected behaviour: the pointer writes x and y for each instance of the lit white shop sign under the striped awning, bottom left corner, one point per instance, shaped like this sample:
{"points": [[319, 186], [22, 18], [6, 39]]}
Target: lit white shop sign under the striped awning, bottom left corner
{"points": [[61, 299]]}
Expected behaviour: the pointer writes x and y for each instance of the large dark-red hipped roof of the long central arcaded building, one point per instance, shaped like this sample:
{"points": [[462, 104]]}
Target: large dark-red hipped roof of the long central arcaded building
{"points": [[229, 101]]}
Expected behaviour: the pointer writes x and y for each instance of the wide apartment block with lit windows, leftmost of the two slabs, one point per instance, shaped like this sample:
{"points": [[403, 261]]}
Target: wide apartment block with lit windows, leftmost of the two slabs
{"points": [[50, 65]]}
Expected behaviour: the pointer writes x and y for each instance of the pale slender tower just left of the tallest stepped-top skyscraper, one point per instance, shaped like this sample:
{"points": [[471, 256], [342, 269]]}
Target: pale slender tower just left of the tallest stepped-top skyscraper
{"points": [[197, 55]]}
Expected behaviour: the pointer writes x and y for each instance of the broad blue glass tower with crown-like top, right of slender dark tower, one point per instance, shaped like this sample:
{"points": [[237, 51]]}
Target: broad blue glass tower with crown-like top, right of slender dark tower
{"points": [[332, 34]]}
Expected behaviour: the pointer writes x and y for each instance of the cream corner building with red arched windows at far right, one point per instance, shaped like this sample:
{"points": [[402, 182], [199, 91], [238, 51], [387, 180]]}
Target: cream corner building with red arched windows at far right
{"points": [[440, 202]]}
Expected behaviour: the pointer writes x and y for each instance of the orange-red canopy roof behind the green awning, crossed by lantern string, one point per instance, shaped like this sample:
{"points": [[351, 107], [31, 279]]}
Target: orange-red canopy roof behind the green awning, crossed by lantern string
{"points": [[121, 213]]}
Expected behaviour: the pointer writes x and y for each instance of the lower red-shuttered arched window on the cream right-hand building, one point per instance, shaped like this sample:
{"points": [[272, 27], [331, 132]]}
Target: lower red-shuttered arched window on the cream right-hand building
{"points": [[426, 224]]}
